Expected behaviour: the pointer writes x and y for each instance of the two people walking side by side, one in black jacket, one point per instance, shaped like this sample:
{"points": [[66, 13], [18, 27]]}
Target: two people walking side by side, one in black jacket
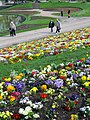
{"points": [[52, 24]]}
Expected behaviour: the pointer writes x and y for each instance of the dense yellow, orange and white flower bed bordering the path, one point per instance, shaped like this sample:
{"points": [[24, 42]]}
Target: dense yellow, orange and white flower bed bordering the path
{"points": [[51, 45]]}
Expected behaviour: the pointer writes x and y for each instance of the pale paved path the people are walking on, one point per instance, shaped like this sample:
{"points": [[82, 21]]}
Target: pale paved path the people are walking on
{"points": [[68, 24]]}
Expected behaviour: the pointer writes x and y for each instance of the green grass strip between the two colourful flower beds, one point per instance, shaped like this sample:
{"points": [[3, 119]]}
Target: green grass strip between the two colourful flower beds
{"points": [[68, 56]]}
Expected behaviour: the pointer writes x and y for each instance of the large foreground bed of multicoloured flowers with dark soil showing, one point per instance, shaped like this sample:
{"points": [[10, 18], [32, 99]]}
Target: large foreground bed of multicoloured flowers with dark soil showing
{"points": [[54, 93]]}
